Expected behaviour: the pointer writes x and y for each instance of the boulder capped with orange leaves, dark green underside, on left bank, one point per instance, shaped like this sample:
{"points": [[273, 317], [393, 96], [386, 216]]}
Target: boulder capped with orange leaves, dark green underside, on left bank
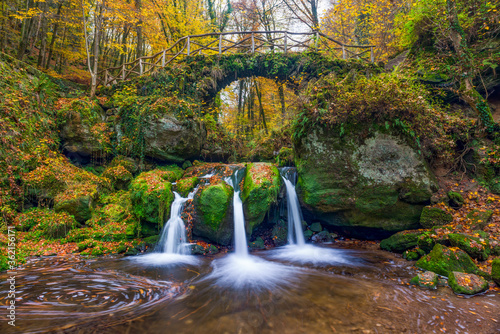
{"points": [[77, 200]]}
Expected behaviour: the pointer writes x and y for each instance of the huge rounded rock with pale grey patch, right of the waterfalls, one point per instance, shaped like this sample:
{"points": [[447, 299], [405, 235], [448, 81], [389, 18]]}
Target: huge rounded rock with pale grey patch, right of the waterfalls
{"points": [[368, 182]]}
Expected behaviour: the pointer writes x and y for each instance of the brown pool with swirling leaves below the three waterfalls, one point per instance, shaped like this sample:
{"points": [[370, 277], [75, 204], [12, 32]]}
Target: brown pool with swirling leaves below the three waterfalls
{"points": [[365, 291]]}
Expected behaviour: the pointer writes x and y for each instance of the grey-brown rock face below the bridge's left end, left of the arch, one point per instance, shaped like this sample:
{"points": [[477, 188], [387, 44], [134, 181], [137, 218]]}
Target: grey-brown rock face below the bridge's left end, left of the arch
{"points": [[168, 139]]}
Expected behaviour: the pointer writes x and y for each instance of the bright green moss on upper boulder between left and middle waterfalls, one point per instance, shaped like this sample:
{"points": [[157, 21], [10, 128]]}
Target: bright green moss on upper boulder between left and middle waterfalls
{"points": [[213, 204]]}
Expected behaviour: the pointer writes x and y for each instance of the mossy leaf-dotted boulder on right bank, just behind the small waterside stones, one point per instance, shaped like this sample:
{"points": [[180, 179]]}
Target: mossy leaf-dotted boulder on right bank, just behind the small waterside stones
{"points": [[443, 260]]}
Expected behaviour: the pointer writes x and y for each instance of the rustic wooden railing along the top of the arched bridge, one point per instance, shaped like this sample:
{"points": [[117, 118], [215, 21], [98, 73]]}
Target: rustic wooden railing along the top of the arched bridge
{"points": [[247, 42]]}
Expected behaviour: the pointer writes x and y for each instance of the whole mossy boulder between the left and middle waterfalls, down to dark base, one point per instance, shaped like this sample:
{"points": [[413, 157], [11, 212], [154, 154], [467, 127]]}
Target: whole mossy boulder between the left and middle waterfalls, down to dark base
{"points": [[214, 213]]}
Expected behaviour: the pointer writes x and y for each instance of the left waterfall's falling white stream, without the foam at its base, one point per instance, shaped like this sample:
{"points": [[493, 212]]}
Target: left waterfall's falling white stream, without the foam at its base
{"points": [[173, 237]]}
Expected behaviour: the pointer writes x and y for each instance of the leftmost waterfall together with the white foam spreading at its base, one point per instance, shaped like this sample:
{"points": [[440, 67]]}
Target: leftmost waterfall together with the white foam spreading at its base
{"points": [[173, 247]]}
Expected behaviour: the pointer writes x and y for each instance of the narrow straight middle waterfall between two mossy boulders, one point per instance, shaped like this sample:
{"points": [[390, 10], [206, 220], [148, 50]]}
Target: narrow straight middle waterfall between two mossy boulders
{"points": [[240, 238]]}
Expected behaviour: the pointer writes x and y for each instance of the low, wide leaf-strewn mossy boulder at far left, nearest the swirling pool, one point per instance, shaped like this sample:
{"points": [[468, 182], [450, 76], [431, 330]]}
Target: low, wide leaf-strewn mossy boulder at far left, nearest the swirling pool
{"points": [[49, 223]]}
